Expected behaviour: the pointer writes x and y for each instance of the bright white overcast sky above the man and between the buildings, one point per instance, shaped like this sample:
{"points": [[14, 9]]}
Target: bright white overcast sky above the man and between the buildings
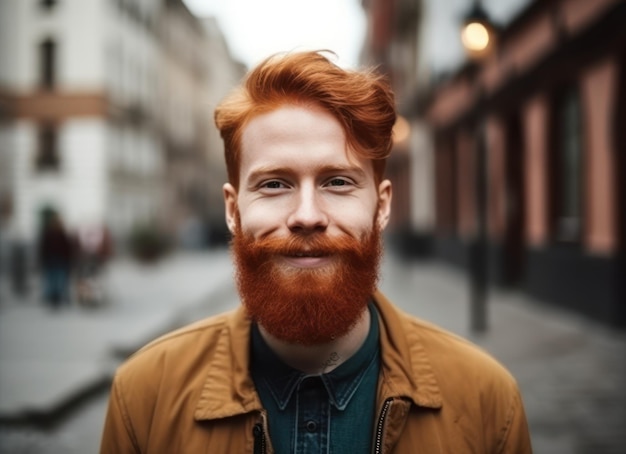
{"points": [[255, 29]]}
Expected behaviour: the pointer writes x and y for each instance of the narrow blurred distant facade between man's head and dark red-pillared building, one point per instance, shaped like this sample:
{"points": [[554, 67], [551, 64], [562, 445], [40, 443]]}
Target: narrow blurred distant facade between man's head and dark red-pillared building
{"points": [[393, 39]]}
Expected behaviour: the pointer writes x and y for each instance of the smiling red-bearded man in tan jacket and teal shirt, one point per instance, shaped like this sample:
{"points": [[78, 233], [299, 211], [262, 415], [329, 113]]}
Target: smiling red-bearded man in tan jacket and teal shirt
{"points": [[315, 360]]}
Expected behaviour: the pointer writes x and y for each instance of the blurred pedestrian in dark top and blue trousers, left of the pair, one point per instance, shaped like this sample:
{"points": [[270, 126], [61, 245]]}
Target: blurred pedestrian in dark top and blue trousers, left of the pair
{"points": [[56, 250]]}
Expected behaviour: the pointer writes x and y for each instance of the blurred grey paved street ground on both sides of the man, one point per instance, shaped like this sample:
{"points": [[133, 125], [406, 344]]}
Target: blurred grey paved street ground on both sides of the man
{"points": [[55, 366]]}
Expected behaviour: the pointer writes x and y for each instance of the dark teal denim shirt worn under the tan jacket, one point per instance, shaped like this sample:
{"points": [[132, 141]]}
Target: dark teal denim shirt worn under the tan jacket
{"points": [[326, 413]]}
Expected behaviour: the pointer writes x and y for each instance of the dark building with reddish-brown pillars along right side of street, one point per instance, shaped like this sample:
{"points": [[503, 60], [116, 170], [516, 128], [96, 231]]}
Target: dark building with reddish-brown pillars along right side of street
{"points": [[529, 146]]}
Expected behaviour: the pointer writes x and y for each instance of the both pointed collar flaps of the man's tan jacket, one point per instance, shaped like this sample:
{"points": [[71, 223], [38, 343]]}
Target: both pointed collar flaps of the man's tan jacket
{"points": [[406, 369]]}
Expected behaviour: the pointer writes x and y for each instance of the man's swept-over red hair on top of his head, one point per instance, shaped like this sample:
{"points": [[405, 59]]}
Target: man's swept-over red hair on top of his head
{"points": [[361, 101]]}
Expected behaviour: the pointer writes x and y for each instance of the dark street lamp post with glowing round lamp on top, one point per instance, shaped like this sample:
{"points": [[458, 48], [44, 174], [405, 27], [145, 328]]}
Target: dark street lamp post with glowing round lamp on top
{"points": [[478, 38]]}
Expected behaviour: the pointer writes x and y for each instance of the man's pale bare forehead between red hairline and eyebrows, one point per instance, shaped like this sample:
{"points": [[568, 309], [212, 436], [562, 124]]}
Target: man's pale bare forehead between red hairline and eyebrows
{"points": [[296, 133]]}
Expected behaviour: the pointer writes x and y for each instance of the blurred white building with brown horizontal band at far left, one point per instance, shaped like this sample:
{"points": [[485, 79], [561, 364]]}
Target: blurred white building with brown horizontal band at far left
{"points": [[77, 80]]}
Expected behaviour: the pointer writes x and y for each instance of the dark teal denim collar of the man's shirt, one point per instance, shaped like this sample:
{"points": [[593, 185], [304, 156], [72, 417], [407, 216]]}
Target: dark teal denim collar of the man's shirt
{"points": [[341, 383]]}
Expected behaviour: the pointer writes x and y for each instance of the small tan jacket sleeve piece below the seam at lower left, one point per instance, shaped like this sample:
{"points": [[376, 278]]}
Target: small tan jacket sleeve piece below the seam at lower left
{"points": [[118, 436]]}
